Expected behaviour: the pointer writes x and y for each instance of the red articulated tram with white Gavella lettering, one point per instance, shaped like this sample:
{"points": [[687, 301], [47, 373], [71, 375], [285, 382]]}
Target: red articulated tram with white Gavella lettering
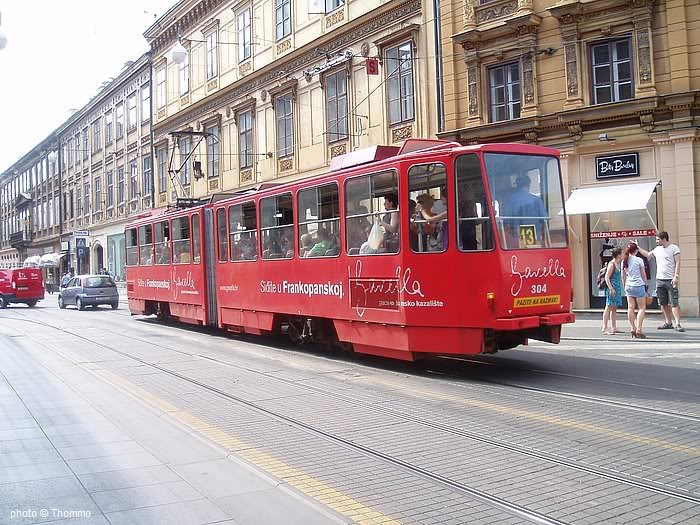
{"points": [[431, 248]]}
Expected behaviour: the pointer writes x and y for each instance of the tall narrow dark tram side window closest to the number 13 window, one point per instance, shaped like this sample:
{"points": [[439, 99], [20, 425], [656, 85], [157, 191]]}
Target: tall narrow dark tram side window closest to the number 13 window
{"points": [[474, 232]]}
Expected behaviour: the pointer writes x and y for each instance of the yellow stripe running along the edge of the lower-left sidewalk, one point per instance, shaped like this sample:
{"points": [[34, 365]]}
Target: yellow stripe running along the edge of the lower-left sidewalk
{"points": [[339, 502]]}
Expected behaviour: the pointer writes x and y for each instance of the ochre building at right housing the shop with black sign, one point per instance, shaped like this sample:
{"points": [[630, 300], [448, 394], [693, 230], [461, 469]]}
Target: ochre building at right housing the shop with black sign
{"points": [[615, 86]]}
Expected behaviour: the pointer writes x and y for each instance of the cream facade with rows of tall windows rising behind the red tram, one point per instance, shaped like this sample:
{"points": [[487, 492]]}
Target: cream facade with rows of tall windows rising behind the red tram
{"points": [[271, 91]]}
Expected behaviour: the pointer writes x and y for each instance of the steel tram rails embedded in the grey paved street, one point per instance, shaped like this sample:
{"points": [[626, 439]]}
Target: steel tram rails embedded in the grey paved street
{"points": [[629, 480]]}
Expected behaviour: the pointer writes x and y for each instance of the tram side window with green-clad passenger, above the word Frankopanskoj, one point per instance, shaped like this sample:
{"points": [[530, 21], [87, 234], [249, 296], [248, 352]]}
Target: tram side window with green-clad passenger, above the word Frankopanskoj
{"points": [[319, 221]]}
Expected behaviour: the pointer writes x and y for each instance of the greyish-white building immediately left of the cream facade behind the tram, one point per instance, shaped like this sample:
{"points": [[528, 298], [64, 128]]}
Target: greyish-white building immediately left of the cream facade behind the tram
{"points": [[107, 170]]}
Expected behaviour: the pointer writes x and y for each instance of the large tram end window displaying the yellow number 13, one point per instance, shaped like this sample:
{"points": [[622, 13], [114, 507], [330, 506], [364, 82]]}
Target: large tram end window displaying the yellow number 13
{"points": [[527, 200]]}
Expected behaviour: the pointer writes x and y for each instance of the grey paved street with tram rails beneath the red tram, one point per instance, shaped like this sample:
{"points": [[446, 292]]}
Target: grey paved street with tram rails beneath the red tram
{"points": [[594, 430]]}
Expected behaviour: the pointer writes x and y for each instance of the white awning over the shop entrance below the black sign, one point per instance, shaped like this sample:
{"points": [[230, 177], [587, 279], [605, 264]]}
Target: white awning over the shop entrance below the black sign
{"points": [[617, 197]]}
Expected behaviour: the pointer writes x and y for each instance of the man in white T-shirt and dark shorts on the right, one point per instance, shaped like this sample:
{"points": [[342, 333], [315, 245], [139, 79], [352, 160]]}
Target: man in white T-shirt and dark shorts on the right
{"points": [[668, 268]]}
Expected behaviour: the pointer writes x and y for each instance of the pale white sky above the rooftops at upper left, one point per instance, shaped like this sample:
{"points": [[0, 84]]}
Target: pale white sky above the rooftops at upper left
{"points": [[57, 55]]}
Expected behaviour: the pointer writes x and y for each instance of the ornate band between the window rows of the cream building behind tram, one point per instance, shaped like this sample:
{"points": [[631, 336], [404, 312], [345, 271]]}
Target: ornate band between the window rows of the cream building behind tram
{"points": [[276, 71]]}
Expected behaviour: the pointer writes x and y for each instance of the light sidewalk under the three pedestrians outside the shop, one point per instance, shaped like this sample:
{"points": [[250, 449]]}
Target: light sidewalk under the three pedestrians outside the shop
{"points": [[589, 327]]}
